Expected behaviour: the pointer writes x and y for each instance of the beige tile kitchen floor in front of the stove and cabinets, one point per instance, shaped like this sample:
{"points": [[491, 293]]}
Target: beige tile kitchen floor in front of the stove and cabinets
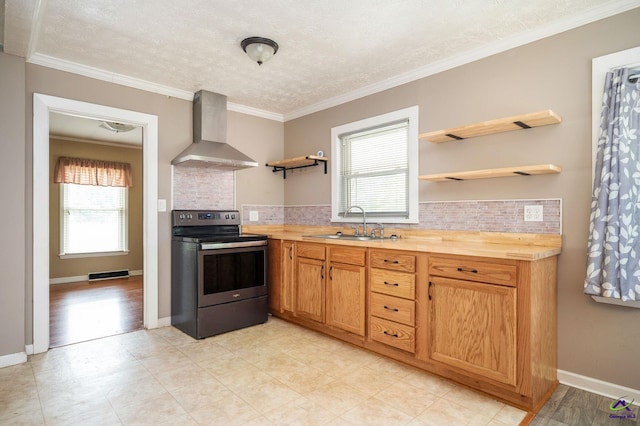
{"points": [[272, 374]]}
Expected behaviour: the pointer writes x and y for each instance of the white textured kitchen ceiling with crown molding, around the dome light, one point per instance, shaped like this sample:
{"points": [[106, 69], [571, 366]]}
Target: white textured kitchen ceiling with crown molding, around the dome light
{"points": [[329, 49]]}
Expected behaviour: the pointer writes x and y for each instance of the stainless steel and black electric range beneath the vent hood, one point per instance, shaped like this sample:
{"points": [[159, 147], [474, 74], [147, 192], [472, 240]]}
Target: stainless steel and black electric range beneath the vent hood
{"points": [[218, 274]]}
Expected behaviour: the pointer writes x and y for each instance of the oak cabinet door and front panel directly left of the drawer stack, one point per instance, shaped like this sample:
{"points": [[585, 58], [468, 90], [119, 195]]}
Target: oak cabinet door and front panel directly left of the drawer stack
{"points": [[346, 286]]}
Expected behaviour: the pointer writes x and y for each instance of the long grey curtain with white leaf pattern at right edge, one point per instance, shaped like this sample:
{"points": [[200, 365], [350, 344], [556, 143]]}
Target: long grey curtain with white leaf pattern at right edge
{"points": [[613, 248]]}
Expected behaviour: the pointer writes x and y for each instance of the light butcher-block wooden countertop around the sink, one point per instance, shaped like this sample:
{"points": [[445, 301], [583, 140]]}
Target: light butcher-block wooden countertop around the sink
{"points": [[484, 244]]}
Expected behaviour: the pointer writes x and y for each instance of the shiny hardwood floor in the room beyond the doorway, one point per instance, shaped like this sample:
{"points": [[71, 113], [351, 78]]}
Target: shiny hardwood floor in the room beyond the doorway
{"points": [[89, 310]]}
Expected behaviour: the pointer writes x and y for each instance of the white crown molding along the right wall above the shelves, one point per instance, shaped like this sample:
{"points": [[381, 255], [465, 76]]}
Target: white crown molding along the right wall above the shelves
{"points": [[594, 14]]}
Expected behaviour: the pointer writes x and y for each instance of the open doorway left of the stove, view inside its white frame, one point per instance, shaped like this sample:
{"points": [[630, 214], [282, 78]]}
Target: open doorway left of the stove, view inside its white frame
{"points": [[96, 241]]}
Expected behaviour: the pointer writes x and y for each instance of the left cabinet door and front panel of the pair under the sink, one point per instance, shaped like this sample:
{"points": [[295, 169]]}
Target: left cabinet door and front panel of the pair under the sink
{"points": [[310, 281]]}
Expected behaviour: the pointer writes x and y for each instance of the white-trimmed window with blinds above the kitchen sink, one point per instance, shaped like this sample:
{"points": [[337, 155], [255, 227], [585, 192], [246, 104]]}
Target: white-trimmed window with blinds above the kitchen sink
{"points": [[375, 166]]}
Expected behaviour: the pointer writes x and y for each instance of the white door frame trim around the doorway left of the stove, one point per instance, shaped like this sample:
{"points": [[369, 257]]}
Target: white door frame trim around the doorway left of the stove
{"points": [[43, 105]]}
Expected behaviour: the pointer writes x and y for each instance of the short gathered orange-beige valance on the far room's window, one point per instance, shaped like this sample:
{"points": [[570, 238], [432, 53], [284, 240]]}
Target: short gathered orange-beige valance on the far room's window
{"points": [[83, 171]]}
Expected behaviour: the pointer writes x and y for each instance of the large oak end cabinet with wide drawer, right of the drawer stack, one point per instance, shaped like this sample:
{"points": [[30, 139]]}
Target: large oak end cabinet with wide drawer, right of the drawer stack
{"points": [[493, 324]]}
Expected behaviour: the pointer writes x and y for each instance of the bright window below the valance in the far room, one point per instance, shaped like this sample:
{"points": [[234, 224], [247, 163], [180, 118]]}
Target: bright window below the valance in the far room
{"points": [[93, 219]]}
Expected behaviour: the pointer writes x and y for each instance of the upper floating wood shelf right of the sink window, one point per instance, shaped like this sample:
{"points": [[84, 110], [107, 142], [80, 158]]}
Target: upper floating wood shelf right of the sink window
{"points": [[517, 122]]}
